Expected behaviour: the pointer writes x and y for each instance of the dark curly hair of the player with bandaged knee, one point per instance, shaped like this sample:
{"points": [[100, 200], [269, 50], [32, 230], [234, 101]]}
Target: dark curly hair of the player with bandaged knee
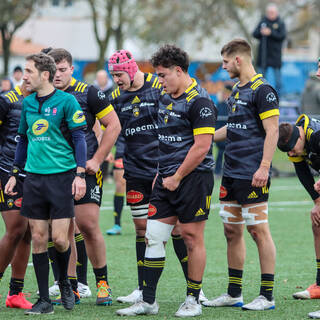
{"points": [[170, 56]]}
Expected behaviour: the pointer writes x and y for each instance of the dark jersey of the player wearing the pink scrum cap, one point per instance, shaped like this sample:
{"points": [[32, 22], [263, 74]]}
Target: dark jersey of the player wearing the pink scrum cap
{"points": [[137, 111]]}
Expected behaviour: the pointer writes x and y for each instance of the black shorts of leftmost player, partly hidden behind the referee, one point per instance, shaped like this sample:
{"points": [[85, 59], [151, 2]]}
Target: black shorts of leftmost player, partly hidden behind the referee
{"points": [[8, 203]]}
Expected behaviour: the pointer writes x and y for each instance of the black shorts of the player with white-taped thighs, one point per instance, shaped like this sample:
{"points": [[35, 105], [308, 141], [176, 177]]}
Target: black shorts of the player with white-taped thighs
{"points": [[242, 191]]}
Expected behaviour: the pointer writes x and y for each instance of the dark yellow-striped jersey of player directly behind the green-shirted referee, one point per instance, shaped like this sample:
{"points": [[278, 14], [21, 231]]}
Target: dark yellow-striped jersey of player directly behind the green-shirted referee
{"points": [[94, 104]]}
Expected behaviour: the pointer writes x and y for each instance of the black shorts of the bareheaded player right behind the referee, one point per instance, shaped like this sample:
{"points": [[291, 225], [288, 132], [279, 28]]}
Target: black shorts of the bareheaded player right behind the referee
{"points": [[94, 189]]}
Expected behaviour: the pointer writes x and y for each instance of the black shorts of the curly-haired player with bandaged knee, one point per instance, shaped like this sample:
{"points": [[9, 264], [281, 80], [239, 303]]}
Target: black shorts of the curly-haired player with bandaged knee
{"points": [[190, 201]]}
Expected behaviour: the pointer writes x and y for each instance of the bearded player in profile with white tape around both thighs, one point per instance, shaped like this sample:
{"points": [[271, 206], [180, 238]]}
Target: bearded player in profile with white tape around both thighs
{"points": [[251, 136]]}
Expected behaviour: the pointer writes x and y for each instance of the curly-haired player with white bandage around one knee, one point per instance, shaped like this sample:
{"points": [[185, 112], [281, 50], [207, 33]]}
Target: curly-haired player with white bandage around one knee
{"points": [[185, 127]]}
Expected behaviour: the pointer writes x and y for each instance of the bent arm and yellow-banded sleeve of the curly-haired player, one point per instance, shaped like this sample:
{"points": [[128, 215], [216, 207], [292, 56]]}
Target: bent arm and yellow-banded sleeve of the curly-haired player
{"points": [[203, 130]]}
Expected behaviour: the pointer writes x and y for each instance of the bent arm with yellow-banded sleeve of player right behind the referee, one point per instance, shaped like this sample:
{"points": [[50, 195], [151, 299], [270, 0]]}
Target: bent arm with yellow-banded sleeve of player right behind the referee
{"points": [[107, 116]]}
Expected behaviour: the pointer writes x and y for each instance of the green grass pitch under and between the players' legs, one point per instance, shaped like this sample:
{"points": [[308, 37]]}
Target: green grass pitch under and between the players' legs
{"points": [[291, 229]]}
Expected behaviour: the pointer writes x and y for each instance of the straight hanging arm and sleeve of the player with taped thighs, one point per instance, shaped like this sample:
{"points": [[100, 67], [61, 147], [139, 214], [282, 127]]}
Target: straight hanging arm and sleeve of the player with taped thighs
{"points": [[267, 103]]}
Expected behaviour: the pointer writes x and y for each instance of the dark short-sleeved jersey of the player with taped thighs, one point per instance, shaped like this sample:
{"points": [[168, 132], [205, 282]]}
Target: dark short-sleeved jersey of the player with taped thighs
{"points": [[248, 105]]}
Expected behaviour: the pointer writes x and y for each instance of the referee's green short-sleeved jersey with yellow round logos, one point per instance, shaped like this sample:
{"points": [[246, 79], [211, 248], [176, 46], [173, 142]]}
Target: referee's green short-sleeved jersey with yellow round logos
{"points": [[45, 123]]}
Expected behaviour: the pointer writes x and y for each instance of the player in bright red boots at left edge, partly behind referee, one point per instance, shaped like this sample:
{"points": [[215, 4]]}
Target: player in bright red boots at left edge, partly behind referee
{"points": [[15, 244]]}
